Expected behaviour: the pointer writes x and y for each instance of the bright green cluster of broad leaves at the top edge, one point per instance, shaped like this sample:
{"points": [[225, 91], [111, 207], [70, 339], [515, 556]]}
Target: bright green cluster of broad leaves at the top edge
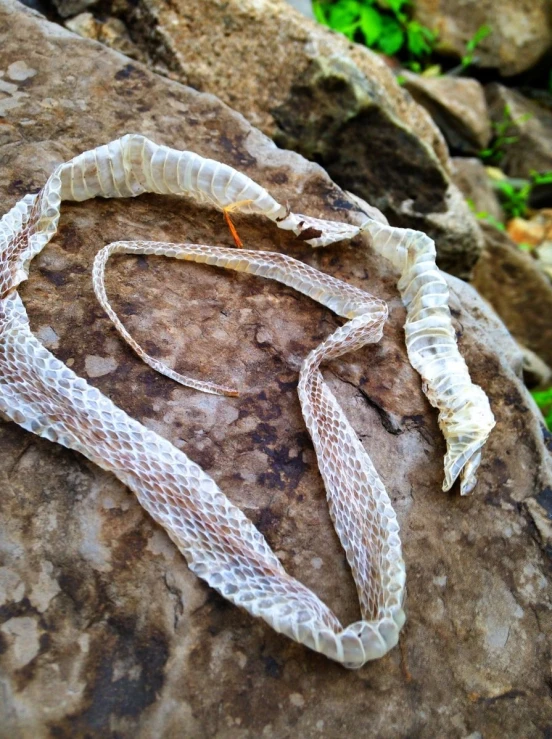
{"points": [[383, 27]]}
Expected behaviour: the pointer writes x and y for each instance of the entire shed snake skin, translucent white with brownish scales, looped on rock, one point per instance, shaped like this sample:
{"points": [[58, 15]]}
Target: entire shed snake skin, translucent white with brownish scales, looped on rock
{"points": [[220, 544]]}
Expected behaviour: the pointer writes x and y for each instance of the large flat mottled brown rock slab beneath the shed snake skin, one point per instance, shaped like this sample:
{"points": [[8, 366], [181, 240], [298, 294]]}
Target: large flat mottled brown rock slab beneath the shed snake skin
{"points": [[104, 631]]}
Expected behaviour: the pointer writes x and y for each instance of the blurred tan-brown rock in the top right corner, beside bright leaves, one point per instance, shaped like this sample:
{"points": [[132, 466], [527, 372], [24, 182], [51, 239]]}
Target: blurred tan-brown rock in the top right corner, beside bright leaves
{"points": [[520, 30]]}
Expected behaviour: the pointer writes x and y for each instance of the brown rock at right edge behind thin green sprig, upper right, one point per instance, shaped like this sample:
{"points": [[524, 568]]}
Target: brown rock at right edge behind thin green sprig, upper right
{"points": [[530, 123]]}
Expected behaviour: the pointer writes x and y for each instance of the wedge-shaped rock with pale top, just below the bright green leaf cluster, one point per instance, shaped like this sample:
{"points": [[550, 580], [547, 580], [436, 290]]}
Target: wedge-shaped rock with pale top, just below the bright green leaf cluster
{"points": [[458, 107]]}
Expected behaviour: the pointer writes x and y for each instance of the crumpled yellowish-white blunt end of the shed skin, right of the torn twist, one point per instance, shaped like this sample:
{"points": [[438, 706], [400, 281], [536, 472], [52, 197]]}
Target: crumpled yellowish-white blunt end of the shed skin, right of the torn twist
{"points": [[465, 415]]}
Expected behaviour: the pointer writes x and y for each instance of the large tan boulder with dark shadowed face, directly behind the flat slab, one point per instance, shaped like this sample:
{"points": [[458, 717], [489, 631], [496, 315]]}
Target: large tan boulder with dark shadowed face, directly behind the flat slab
{"points": [[311, 90]]}
